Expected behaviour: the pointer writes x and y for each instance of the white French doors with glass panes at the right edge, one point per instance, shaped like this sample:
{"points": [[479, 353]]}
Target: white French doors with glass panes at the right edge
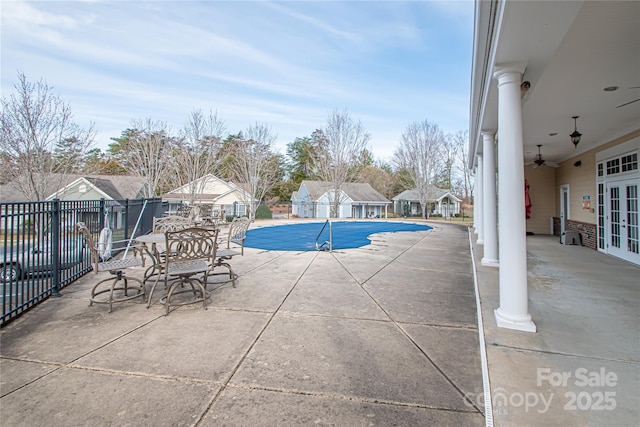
{"points": [[623, 238]]}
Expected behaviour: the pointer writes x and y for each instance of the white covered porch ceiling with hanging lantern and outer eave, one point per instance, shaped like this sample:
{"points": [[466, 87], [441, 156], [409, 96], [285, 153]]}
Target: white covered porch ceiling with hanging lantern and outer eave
{"points": [[573, 50]]}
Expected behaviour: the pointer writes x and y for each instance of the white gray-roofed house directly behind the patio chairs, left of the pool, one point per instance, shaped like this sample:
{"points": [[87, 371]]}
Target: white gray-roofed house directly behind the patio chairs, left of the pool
{"points": [[212, 196]]}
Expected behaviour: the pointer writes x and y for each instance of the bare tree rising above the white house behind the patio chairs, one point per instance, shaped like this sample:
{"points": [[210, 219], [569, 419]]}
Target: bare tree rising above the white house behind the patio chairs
{"points": [[195, 153]]}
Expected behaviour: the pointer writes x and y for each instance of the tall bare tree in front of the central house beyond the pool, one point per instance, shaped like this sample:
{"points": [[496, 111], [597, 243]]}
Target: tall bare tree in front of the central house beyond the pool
{"points": [[338, 148]]}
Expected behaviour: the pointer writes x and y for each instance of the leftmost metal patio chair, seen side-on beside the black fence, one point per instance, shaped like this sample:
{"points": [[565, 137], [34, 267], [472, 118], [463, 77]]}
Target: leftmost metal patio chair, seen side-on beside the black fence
{"points": [[118, 287]]}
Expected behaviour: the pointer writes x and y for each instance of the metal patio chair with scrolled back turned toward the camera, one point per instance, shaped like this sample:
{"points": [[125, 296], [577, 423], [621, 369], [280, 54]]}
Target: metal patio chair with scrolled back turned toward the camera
{"points": [[189, 253]]}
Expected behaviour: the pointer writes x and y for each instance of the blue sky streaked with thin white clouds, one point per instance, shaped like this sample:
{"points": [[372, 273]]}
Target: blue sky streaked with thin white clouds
{"points": [[283, 64]]}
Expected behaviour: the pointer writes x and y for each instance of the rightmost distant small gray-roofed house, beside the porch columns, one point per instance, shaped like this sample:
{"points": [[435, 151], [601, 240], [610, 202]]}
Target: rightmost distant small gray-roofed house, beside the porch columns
{"points": [[441, 202]]}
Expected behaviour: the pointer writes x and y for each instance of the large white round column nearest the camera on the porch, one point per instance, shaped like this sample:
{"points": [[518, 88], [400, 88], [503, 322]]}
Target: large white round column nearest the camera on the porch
{"points": [[513, 312]]}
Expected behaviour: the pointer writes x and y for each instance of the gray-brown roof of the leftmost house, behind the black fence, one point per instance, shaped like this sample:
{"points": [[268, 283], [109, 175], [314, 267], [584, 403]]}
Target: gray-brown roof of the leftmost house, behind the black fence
{"points": [[113, 186]]}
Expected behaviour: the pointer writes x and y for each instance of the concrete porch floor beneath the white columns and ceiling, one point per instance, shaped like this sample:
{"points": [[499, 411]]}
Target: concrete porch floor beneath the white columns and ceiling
{"points": [[582, 366]]}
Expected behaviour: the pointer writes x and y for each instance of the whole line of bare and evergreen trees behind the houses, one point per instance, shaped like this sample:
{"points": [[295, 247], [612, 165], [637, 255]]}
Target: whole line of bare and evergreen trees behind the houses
{"points": [[40, 137]]}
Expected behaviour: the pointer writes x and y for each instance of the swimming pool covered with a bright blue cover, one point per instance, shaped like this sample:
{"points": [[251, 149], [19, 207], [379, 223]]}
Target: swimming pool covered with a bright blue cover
{"points": [[302, 237]]}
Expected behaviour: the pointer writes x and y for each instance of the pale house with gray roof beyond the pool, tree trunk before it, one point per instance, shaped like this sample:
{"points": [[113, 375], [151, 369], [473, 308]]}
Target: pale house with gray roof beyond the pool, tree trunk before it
{"points": [[357, 200]]}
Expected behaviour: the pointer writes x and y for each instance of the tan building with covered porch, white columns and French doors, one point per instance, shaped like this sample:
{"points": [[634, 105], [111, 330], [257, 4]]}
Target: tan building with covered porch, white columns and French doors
{"points": [[563, 77]]}
